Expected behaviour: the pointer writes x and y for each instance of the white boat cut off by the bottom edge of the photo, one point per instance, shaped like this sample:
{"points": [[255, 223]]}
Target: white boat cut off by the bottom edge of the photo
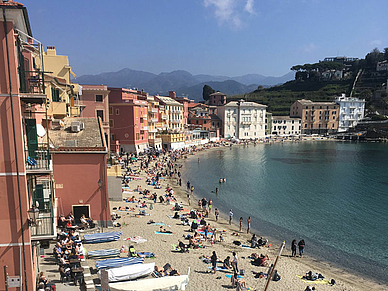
{"points": [[167, 283]]}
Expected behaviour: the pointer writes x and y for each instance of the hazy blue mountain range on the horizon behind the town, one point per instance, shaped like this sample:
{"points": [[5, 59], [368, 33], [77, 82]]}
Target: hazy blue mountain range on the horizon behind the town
{"points": [[182, 82]]}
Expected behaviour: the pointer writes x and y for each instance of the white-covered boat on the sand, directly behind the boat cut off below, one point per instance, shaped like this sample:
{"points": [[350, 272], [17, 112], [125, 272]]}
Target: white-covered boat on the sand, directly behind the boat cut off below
{"points": [[131, 272]]}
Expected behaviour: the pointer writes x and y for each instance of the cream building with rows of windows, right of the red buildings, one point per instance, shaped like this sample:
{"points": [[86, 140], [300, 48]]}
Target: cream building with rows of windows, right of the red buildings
{"points": [[173, 112]]}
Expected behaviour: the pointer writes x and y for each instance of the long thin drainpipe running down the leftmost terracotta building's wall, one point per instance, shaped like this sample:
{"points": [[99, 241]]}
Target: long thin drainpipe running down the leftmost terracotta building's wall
{"points": [[16, 152]]}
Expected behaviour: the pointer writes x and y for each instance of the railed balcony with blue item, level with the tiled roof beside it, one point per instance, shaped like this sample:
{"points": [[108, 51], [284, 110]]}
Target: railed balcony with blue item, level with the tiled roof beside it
{"points": [[37, 159]]}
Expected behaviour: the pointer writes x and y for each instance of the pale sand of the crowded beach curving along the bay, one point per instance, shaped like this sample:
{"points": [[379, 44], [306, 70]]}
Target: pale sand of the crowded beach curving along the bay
{"points": [[201, 277]]}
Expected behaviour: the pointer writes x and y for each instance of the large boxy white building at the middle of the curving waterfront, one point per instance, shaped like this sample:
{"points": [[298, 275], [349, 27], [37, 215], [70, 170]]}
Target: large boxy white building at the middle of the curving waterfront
{"points": [[243, 120]]}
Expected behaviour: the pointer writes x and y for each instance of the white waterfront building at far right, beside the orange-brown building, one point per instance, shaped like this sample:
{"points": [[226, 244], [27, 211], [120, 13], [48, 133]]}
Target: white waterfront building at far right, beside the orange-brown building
{"points": [[351, 111]]}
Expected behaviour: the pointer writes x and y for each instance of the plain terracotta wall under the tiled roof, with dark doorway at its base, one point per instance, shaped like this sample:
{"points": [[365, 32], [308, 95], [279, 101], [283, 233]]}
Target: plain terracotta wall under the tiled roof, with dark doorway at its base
{"points": [[76, 182]]}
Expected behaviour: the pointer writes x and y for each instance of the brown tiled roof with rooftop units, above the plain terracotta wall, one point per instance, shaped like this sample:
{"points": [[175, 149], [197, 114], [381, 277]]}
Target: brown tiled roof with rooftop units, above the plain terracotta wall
{"points": [[88, 139]]}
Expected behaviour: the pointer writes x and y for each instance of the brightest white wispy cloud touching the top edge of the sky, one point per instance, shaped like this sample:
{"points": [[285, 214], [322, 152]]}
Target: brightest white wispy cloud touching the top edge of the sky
{"points": [[229, 11]]}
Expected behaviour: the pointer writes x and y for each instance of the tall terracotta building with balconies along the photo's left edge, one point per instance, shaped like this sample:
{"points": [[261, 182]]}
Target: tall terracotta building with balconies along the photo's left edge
{"points": [[27, 197]]}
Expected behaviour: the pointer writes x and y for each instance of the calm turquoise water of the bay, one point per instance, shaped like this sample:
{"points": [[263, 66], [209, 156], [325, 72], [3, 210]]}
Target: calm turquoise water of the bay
{"points": [[332, 194]]}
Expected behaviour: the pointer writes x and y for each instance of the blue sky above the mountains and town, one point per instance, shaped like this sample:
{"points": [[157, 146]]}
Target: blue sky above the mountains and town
{"points": [[217, 37]]}
